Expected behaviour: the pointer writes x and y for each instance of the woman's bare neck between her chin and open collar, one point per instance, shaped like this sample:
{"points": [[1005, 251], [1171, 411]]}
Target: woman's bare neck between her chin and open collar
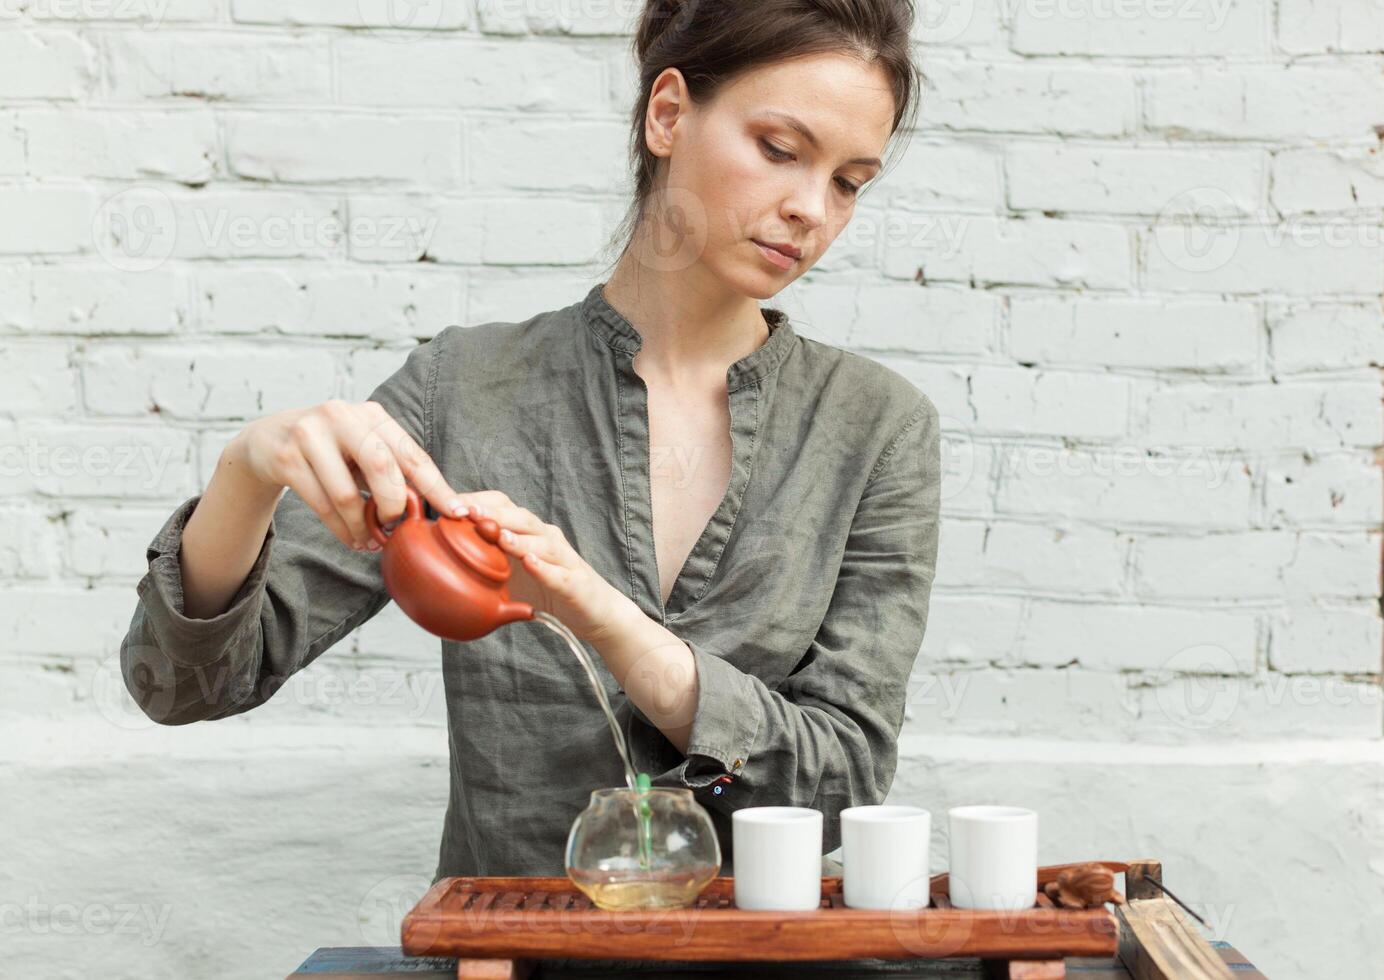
{"points": [[694, 329]]}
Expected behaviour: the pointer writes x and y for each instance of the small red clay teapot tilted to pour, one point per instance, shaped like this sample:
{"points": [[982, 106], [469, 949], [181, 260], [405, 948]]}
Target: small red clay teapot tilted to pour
{"points": [[449, 575]]}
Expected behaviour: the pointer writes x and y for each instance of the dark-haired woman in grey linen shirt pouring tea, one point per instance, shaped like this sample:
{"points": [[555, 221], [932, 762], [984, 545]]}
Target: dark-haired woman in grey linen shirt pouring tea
{"points": [[740, 521]]}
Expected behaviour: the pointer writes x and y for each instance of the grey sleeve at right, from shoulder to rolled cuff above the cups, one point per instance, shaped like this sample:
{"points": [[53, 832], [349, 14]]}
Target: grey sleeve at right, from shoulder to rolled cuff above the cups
{"points": [[827, 737]]}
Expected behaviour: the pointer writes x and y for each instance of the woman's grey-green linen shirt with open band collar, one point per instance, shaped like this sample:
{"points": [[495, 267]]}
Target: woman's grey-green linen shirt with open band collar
{"points": [[803, 601]]}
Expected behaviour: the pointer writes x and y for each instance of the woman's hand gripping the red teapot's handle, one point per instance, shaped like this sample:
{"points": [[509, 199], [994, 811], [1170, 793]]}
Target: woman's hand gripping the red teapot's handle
{"points": [[329, 453]]}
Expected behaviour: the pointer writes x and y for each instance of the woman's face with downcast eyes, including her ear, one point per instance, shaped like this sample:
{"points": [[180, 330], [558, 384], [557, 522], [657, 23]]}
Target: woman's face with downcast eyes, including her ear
{"points": [[741, 174]]}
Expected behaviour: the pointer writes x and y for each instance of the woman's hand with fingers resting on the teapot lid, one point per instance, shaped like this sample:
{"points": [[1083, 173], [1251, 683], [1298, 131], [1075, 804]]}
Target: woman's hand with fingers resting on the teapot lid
{"points": [[547, 572]]}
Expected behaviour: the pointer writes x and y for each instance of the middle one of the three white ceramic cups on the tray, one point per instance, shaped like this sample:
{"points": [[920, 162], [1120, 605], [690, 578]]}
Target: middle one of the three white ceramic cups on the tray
{"points": [[885, 856]]}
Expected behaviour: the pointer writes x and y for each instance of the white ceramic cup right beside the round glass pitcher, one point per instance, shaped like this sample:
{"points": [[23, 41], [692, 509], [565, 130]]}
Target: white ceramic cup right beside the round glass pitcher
{"points": [[778, 857]]}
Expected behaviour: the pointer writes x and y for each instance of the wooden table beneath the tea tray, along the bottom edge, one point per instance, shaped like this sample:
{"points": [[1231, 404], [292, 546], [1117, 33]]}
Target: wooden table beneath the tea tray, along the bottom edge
{"points": [[385, 963]]}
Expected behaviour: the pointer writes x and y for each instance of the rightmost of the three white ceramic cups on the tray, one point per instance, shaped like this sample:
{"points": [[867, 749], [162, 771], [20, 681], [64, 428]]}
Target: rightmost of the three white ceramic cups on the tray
{"points": [[994, 857]]}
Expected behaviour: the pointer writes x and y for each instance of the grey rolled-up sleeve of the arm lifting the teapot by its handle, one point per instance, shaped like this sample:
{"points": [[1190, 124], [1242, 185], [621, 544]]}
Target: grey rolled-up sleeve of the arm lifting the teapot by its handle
{"points": [[304, 593]]}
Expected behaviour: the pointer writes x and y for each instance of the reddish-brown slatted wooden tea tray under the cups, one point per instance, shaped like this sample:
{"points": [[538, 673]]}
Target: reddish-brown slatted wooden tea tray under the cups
{"points": [[499, 927]]}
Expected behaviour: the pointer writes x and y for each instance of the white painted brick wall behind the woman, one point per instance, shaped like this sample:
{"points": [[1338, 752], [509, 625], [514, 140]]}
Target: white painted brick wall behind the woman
{"points": [[1134, 255]]}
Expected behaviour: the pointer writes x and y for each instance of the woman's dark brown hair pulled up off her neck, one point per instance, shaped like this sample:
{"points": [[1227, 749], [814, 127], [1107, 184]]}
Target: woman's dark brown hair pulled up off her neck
{"points": [[713, 42]]}
